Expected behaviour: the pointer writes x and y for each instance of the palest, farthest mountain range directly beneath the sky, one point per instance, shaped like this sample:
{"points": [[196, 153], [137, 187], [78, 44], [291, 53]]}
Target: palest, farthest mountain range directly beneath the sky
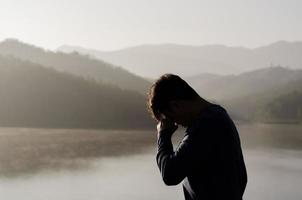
{"points": [[154, 60]]}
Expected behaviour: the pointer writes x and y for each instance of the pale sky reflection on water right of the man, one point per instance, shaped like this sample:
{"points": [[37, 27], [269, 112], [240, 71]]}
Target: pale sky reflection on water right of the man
{"points": [[274, 175]]}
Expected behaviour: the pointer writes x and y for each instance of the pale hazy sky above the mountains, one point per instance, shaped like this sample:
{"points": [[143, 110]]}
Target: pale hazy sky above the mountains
{"points": [[116, 24]]}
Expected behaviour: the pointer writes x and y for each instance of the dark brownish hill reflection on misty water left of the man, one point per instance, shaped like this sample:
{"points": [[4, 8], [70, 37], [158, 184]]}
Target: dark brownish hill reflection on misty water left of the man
{"points": [[28, 151]]}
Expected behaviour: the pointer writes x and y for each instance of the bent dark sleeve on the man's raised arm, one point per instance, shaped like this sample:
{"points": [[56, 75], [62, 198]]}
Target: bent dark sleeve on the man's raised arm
{"points": [[175, 165]]}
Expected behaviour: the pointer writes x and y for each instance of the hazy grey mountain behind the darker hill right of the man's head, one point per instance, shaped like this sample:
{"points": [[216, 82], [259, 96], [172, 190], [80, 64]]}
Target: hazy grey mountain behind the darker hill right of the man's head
{"points": [[229, 87]]}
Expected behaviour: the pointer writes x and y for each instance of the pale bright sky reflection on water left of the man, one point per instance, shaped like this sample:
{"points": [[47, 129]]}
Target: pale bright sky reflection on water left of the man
{"points": [[134, 177]]}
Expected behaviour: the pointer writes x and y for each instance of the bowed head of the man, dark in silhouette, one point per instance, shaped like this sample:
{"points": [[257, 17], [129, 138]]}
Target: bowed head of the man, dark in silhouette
{"points": [[171, 97]]}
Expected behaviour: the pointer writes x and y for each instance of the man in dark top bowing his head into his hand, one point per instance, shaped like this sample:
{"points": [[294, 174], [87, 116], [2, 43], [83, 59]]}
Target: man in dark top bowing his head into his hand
{"points": [[209, 159]]}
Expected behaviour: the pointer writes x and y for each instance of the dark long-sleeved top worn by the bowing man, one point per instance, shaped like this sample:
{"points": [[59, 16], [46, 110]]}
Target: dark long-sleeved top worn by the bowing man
{"points": [[208, 160]]}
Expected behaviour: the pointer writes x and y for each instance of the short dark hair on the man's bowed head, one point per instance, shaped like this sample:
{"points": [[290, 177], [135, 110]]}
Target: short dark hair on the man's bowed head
{"points": [[167, 88]]}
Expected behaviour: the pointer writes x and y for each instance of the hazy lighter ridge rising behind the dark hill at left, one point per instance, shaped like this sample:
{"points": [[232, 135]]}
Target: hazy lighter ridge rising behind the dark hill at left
{"points": [[76, 64]]}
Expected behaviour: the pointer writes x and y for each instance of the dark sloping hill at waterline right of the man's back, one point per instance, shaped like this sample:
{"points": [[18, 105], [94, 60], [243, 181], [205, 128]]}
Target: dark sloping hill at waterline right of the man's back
{"points": [[272, 105]]}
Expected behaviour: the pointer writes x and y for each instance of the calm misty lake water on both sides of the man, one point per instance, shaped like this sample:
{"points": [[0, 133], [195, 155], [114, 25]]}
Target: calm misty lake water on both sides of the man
{"points": [[43, 164]]}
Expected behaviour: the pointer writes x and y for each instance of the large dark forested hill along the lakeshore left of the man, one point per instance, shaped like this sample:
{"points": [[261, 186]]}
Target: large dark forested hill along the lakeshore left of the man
{"points": [[32, 95]]}
